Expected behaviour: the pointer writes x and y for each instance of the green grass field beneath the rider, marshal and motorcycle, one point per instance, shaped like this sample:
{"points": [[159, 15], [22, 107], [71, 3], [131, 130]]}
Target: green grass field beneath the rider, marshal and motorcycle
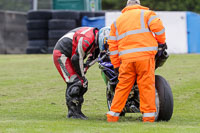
{"points": [[32, 99]]}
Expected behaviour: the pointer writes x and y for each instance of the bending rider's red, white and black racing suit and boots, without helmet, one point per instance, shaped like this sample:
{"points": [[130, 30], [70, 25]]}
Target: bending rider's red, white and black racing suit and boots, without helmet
{"points": [[69, 54]]}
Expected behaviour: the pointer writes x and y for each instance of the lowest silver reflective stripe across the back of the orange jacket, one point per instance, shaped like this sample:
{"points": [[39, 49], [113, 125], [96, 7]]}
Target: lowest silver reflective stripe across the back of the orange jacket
{"points": [[137, 50]]}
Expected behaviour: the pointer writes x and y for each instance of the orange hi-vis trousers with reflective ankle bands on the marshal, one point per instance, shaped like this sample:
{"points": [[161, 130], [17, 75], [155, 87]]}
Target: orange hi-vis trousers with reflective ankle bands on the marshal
{"points": [[143, 72]]}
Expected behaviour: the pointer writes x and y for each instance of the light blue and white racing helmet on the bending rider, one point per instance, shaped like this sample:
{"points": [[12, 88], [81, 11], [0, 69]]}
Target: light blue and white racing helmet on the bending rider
{"points": [[103, 37]]}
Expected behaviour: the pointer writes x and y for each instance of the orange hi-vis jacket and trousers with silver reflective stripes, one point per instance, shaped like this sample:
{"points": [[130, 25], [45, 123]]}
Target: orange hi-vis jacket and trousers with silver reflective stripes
{"points": [[133, 43]]}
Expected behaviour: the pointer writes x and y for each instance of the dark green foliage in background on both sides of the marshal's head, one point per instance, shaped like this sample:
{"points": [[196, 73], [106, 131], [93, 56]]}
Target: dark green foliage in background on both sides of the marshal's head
{"points": [[158, 5]]}
